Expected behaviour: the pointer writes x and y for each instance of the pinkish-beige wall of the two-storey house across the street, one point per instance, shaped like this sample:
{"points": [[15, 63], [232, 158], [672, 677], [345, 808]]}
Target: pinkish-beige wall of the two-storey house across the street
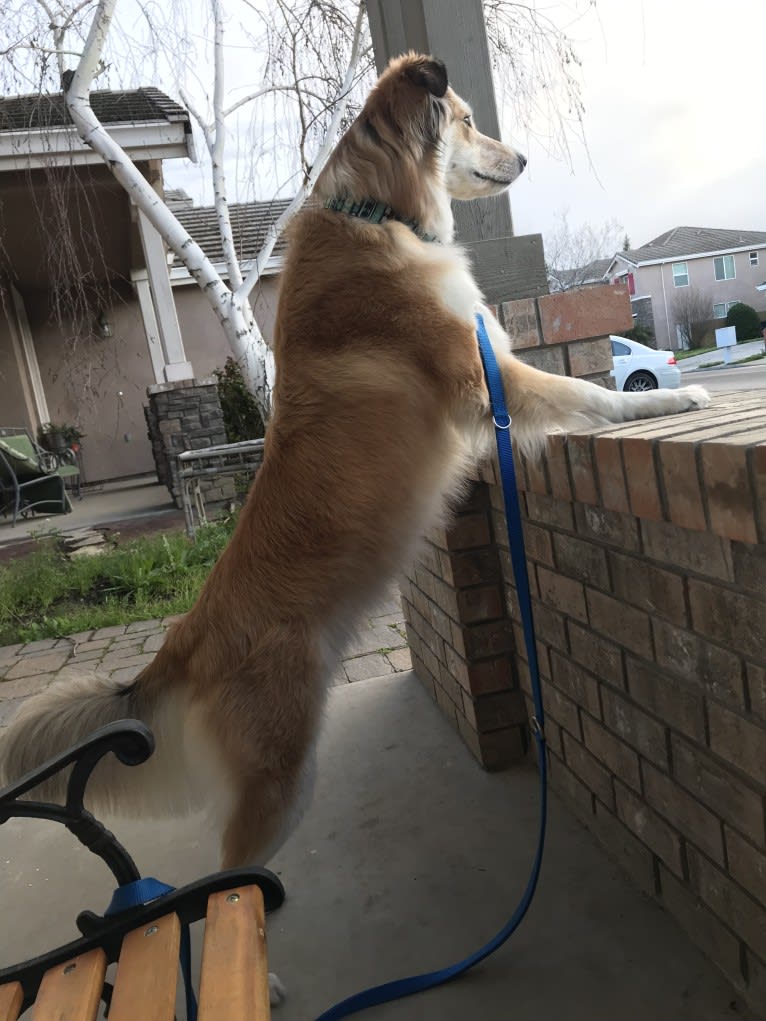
{"points": [[650, 279]]}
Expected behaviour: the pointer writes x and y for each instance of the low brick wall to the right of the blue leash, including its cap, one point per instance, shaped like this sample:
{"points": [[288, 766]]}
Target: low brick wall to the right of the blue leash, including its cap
{"points": [[649, 570]]}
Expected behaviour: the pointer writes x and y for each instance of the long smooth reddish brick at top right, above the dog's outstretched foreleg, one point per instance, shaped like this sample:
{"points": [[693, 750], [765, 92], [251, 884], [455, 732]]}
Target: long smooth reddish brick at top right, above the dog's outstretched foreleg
{"points": [[593, 312]]}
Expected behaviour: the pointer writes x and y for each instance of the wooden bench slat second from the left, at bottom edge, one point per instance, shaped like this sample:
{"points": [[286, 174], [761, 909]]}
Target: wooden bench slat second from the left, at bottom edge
{"points": [[72, 992]]}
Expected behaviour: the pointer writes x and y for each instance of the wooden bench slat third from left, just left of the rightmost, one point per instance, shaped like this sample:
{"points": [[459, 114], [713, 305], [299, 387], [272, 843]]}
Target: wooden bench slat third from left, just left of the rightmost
{"points": [[148, 974]]}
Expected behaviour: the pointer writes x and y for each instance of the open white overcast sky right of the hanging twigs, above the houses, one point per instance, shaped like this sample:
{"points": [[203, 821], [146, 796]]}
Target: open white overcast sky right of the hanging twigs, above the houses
{"points": [[676, 117]]}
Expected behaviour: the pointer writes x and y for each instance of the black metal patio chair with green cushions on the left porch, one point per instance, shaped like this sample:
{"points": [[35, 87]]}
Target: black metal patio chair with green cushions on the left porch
{"points": [[31, 478]]}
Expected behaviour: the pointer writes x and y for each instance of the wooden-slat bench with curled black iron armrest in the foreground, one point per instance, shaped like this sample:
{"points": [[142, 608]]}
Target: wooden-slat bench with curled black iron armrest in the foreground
{"points": [[146, 929]]}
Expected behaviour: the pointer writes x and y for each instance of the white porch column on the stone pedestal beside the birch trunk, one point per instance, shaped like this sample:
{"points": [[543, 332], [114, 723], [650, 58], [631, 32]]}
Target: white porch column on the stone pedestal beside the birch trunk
{"points": [[176, 365]]}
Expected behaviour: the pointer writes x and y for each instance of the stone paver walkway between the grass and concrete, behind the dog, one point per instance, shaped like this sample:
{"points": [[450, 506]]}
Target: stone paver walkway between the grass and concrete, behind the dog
{"points": [[379, 649]]}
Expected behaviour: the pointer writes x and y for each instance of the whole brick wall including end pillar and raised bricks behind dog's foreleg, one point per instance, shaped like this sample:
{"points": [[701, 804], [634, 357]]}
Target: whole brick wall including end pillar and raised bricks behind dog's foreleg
{"points": [[647, 550]]}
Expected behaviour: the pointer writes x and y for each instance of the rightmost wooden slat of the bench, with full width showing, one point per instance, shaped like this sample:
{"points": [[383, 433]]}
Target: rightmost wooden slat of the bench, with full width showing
{"points": [[234, 983]]}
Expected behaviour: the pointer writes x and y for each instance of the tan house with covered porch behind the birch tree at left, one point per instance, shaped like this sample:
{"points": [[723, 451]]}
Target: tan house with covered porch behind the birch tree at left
{"points": [[93, 309]]}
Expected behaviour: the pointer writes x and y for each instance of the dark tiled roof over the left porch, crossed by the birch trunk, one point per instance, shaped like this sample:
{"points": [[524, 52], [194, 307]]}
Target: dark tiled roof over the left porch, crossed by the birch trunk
{"points": [[134, 107]]}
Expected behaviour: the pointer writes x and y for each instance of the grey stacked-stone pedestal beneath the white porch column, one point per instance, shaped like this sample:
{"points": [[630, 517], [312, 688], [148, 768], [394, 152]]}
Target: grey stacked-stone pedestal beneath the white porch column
{"points": [[186, 416]]}
